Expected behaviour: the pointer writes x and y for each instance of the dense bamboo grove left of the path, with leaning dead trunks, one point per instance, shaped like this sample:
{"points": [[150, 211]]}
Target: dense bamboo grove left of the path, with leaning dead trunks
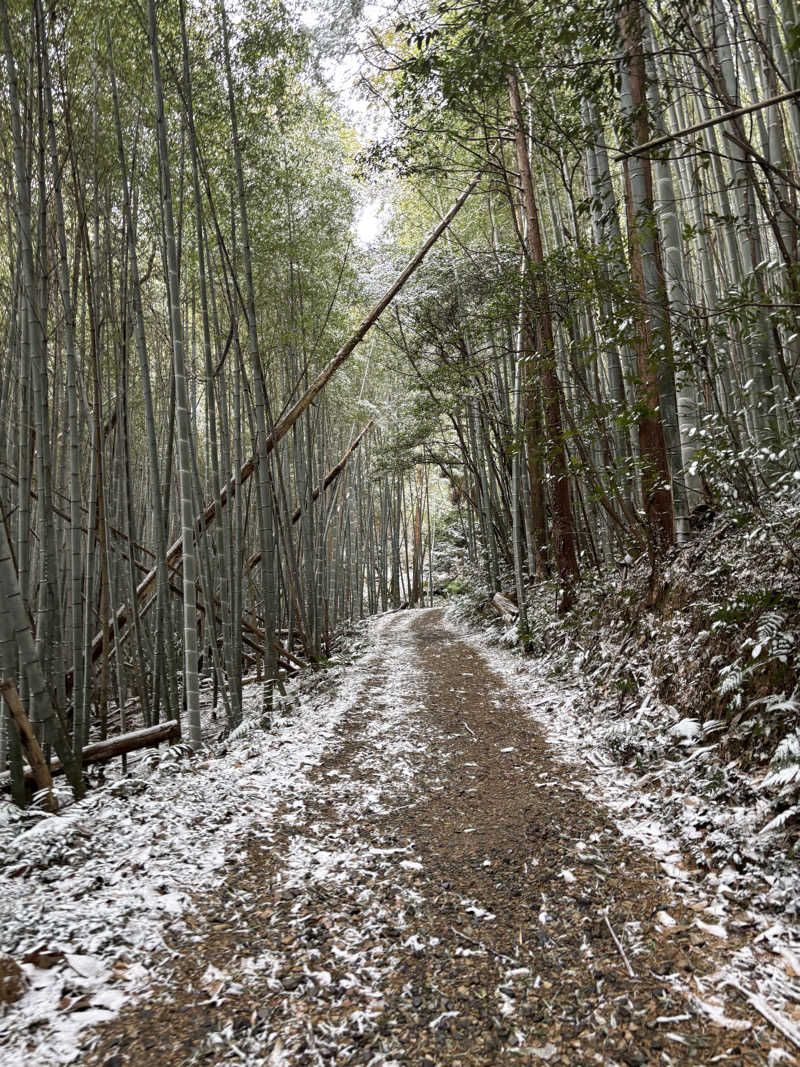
{"points": [[184, 502]]}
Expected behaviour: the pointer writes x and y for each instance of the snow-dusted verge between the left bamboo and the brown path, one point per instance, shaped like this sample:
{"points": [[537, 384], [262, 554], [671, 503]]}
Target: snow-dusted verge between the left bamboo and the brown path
{"points": [[89, 893]]}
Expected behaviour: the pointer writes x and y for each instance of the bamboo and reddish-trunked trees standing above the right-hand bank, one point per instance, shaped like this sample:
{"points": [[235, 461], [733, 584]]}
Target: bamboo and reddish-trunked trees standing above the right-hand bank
{"points": [[606, 352]]}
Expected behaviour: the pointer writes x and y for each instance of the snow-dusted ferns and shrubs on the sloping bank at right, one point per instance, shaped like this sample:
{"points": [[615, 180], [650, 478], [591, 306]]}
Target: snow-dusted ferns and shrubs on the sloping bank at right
{"points": [[711, 673]]}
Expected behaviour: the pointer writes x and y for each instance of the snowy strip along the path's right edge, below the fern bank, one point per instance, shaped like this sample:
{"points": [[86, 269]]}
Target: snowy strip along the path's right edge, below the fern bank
{"points": [[662, 813]]}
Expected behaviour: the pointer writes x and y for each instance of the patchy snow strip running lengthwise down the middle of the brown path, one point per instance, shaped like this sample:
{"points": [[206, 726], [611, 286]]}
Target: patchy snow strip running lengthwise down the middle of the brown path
{"points": [[331, 858]]}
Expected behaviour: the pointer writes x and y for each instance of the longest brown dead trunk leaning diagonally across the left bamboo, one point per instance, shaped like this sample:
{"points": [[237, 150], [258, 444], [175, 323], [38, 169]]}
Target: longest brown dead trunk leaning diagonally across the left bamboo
{"points": [[285, 423]]}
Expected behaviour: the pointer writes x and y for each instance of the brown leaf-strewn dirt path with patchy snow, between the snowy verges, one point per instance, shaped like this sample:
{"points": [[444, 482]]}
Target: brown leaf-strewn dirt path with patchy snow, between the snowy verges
{"points": [[445, 895]]}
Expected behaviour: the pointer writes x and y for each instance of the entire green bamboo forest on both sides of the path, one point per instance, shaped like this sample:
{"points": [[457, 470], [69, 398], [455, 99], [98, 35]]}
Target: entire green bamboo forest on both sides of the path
{"points": [[205, 474]]}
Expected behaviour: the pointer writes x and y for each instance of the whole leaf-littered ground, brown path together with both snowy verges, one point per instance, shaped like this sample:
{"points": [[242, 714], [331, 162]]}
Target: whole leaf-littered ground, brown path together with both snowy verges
{"points": [[345, 915]]}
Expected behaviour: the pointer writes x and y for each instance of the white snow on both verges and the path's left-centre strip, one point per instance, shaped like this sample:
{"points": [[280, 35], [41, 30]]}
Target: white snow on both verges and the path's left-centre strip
{"points": [[88, 896]]}
